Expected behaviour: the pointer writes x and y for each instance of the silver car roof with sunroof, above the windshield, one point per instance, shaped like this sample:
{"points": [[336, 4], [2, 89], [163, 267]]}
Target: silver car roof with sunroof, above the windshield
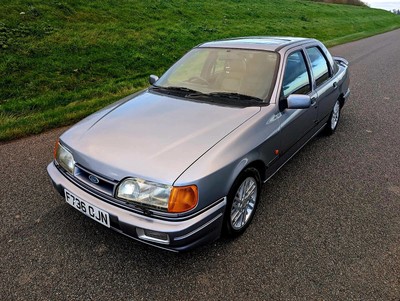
{"points": [[258, 43]]}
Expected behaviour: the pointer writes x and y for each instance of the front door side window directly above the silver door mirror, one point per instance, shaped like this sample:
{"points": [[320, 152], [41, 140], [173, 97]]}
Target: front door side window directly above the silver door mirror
{"points": [[296, 79]]}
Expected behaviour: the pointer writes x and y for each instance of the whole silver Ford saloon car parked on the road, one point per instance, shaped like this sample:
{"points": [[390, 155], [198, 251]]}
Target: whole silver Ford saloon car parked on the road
{"points": [[183, 161]]}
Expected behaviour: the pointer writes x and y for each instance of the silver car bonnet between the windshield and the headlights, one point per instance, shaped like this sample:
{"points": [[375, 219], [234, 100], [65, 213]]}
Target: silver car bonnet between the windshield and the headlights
{"points": [[151, 136]]}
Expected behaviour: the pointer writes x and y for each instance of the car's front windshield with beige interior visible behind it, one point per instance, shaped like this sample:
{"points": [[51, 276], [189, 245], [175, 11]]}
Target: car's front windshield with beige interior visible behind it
{"points": [[219, 71]]}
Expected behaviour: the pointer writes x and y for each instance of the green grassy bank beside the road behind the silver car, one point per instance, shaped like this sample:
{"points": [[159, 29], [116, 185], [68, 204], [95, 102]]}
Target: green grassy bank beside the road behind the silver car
{"points": [[60, 61]]}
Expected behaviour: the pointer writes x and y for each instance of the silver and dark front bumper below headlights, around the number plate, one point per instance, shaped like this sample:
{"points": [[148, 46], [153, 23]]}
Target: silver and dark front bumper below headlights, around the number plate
{"points": [[183, 234]]}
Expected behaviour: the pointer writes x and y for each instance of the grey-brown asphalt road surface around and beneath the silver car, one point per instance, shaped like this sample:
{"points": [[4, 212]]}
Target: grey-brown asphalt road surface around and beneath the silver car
{"points": [[328, 226]]}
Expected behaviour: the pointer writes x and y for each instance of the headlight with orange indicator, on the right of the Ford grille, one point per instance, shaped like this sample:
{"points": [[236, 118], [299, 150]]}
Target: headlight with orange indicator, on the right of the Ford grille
{"points": [[158, 196]]}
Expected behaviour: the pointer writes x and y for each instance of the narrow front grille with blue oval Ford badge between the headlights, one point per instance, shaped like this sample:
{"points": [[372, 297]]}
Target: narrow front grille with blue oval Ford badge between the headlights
{"points": [[97, 182]]}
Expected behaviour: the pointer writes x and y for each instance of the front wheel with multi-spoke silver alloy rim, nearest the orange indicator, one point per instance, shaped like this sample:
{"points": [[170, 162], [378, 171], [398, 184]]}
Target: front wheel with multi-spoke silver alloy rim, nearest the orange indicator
{"points": [[241, 208]]}
